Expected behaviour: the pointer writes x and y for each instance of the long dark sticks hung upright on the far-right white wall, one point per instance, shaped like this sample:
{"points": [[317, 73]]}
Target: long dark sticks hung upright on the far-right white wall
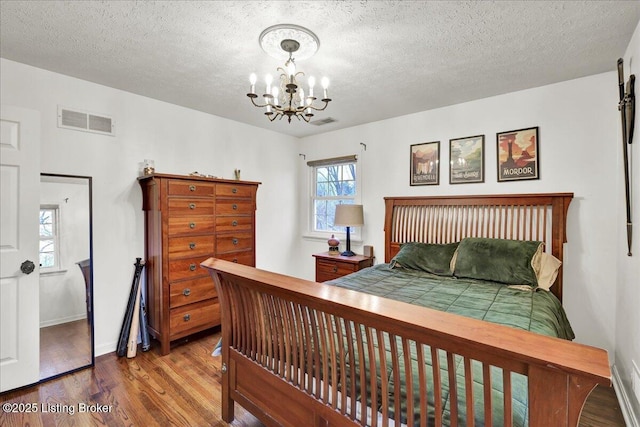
{"points": [[627, 114]]}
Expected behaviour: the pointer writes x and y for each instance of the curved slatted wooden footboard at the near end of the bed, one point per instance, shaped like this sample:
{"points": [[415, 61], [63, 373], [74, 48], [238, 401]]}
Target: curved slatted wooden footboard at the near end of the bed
{"points": [[299, 353]]}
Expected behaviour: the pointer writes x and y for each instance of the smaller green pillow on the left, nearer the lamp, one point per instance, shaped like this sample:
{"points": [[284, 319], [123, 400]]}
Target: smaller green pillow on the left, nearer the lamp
{"points": [[432, 258]]}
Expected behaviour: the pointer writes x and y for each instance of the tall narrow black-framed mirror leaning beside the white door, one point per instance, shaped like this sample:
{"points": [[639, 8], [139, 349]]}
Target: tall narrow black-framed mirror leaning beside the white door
{"points": [[66, 275]]}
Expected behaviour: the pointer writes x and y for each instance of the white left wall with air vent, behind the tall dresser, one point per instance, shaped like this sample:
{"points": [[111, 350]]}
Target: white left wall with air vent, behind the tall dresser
{"points": [[180, 141]]}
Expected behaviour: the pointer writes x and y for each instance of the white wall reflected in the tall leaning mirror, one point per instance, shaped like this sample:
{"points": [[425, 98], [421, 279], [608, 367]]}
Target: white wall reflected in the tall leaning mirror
{"points": [[63, 294]]}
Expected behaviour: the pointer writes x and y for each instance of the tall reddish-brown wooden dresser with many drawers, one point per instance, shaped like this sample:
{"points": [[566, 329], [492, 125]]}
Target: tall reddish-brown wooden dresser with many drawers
{"points": [[188, 220]]}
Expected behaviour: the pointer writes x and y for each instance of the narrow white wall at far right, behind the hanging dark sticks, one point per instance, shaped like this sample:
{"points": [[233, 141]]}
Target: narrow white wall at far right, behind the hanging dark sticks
{"points": [[628, 289]]}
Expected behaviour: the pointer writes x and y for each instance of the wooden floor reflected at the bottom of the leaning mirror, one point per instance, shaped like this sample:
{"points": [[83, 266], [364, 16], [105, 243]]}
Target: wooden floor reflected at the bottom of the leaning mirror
{"points": [[64, 347]]}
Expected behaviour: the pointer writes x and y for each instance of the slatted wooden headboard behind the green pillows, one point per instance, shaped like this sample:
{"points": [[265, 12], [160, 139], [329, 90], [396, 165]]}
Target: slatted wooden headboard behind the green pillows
{"points": [[448, 219]]}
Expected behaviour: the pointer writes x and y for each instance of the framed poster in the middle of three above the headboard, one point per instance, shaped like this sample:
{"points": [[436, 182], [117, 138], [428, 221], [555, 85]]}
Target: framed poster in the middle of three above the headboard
{"points": [[466, 157]]}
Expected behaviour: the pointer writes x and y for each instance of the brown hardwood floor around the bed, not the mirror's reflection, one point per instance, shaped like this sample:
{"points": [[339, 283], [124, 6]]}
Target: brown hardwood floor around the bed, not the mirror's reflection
{"points": [[182, 388]]}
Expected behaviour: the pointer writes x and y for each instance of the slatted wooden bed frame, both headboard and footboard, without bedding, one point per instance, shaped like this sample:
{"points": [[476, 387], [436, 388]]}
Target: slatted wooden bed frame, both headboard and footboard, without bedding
{"points": [[286, 341]]}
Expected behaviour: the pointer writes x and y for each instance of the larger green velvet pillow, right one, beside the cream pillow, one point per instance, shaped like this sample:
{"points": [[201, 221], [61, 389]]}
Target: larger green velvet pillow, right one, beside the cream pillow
{"points": [[498, 260]]}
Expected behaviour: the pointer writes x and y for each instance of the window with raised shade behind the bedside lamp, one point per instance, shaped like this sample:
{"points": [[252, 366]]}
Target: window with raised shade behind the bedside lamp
{"points": [[334, 182]]}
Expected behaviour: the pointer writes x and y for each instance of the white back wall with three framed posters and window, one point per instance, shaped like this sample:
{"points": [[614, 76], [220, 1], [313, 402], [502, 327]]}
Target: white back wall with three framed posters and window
{"points": [[577, 123]]}
